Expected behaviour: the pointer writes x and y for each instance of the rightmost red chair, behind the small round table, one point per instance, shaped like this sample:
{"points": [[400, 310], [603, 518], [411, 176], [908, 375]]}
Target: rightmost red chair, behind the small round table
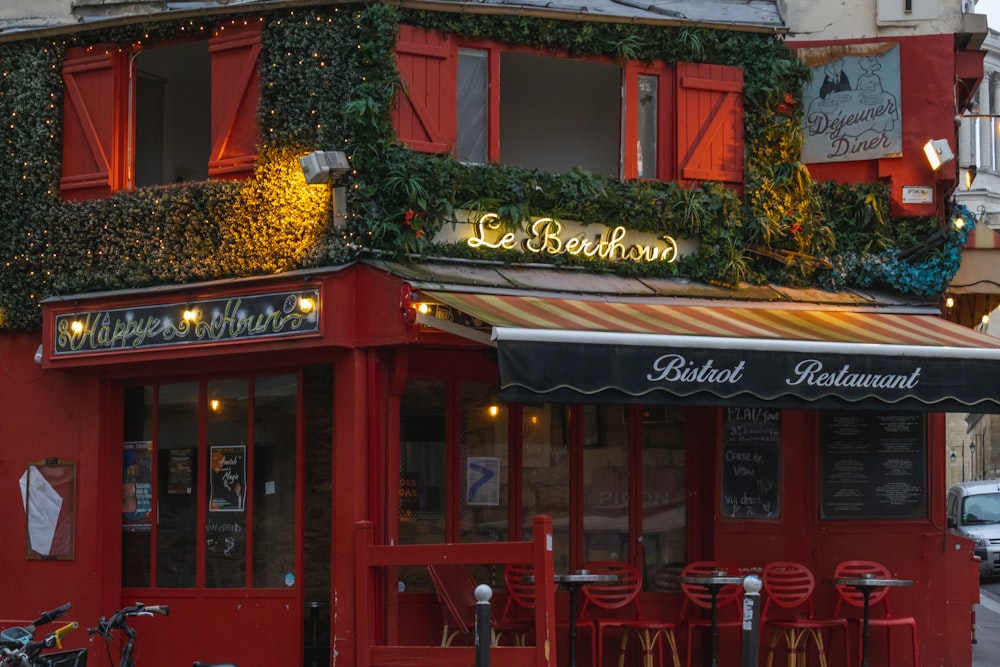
{"points": [[878, 603]]}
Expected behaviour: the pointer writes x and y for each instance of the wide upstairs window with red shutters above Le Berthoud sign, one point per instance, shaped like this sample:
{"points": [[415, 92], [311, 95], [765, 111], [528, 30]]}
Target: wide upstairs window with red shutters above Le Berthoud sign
{"points": [[481, 102]]}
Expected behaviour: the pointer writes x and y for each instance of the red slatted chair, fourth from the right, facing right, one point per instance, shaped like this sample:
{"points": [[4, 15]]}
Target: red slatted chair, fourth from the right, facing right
{"points": [[615, 605]]}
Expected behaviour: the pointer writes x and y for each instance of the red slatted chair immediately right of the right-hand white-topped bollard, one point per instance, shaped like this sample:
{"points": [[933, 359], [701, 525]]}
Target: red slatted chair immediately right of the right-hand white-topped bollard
{"points": [[789, 614]]}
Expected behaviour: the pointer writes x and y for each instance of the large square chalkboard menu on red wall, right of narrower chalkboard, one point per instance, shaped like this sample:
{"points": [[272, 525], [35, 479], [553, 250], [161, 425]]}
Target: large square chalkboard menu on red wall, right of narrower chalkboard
{"points": [[873, 465]]}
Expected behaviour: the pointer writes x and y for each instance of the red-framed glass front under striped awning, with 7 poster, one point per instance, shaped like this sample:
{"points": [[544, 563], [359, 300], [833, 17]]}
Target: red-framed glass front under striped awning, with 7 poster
{"points": [[612, 477]]}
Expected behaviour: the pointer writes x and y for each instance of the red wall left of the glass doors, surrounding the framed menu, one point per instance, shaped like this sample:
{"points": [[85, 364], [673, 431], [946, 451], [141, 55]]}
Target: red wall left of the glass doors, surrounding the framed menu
{"points": [[50, 414]]}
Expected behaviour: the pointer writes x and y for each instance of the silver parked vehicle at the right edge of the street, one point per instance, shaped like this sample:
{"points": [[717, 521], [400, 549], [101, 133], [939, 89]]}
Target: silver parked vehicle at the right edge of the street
{"points": [[974, 512]]}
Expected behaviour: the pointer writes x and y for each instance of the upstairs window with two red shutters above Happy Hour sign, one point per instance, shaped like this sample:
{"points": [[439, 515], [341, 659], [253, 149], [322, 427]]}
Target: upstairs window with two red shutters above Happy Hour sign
{"points": [[138, 116]]}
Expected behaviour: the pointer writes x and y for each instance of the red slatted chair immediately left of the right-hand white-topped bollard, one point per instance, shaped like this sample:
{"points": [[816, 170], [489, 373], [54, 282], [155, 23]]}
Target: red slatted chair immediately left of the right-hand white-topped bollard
{"points": [[697, 606]]}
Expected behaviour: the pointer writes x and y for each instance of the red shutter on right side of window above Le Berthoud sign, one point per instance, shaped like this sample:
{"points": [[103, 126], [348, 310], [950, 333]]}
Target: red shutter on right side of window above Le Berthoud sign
{"points": [[710, 123]]}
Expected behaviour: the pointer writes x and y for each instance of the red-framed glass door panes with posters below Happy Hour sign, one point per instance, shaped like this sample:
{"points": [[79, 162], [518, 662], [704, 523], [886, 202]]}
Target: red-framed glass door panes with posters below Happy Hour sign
{"points": [[207, 464]]}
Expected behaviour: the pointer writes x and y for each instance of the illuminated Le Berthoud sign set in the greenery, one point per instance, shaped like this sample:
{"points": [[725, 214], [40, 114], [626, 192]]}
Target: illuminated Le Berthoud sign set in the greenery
{"points": [[552, 237]]}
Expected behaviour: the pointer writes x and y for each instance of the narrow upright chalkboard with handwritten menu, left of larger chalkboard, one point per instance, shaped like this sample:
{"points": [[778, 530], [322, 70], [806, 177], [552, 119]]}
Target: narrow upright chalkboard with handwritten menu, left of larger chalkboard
{"points": [[751, 463]]}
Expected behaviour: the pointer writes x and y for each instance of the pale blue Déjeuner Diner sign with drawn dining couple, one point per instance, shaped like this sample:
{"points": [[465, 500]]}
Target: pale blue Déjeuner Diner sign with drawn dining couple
{"points": [[852, 109]]}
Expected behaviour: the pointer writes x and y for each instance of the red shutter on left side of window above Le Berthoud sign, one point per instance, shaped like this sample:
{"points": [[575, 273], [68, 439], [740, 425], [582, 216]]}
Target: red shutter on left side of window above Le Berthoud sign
{"points": [[424, 114]]}
